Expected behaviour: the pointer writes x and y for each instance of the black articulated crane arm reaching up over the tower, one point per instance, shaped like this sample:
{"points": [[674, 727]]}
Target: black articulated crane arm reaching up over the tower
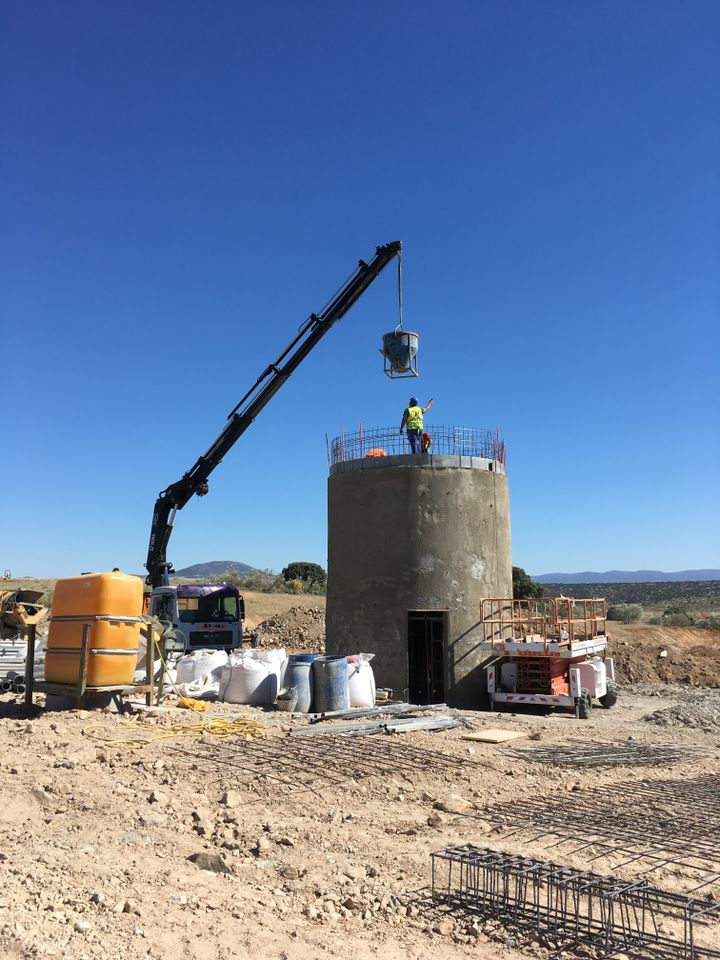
{"points": [[242, 415]]}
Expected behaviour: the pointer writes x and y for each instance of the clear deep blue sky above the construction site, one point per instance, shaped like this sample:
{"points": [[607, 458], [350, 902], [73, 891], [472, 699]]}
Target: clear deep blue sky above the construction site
{"points": [[183, 183]]}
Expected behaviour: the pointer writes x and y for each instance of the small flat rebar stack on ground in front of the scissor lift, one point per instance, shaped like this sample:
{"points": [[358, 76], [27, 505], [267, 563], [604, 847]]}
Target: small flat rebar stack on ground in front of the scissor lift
{"points": [[608, 754]]}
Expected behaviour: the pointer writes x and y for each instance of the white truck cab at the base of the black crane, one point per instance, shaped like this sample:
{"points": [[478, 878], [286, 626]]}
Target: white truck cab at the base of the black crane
{"points": [[202, 615]]}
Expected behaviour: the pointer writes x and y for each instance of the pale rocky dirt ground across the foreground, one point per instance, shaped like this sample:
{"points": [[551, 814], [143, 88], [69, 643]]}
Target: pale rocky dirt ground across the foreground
{"points": [[324, 858]]}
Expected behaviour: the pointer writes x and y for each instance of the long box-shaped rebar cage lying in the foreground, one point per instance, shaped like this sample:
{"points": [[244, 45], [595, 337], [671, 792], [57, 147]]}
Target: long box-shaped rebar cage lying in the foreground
{"points": [[576, 907]]}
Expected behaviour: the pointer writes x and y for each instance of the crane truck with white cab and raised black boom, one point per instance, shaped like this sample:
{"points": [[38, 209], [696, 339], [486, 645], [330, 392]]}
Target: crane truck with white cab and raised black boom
{"points": [[210, 615]]}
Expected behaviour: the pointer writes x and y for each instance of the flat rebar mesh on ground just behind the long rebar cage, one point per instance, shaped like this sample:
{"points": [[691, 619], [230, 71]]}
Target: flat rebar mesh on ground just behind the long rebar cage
{"points": [[648, 825]]}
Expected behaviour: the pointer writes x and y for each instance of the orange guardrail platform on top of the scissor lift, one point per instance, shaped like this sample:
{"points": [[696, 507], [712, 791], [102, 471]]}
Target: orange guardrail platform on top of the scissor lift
{"points": [[563, 620]]}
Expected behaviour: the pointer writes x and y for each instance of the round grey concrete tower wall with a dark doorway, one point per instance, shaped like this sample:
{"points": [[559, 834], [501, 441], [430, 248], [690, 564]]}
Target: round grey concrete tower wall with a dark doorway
{"points": [[416, 533]]}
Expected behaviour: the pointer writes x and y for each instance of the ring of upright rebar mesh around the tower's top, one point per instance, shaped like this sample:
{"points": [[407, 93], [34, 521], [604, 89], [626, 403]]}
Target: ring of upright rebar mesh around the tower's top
{"points": [[435, 440]]}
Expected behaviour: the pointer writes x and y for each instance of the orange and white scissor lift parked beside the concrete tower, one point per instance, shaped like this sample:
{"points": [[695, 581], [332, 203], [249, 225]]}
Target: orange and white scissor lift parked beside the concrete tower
{"points": [[550, 652]]}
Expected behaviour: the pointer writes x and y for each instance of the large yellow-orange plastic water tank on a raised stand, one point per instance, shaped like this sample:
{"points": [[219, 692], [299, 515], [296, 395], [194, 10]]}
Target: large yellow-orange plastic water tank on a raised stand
{"points": [[111, 605]]}
